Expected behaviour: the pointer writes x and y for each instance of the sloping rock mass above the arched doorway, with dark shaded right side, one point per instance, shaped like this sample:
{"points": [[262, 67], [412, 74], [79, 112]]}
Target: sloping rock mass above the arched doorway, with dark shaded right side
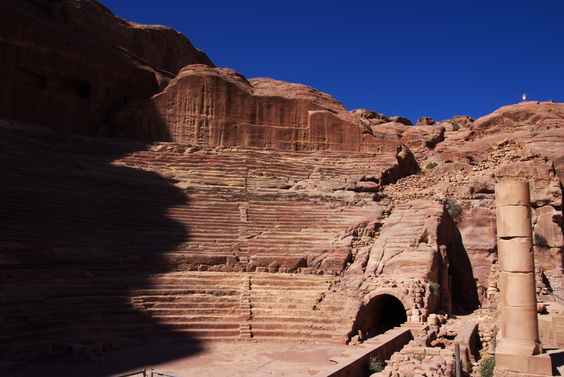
{"points": [[420, 241]]}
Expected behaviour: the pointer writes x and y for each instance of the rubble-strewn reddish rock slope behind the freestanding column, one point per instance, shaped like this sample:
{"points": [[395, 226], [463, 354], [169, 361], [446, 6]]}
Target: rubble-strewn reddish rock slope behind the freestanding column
{"points": [[463, 173]]}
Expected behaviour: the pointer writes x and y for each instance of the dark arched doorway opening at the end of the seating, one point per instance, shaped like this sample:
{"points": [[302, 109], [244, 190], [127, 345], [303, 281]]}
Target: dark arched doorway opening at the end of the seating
{"points": [[380, 314]]}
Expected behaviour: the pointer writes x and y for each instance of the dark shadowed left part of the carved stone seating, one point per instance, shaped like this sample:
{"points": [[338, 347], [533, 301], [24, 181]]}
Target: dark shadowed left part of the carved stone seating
{"points": [[79, 234]]}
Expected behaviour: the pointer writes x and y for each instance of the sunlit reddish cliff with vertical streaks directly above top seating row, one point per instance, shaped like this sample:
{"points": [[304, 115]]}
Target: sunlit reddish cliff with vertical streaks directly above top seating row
{"points": [[219, 107]]}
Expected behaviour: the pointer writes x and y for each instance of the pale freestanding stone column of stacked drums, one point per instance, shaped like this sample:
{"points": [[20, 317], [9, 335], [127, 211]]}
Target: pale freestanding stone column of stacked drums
{"points": [[519, 335]]}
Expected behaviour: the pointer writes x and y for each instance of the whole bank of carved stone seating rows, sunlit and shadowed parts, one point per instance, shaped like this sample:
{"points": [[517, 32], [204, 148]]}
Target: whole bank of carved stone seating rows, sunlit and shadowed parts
{"points": [[102, 240]]}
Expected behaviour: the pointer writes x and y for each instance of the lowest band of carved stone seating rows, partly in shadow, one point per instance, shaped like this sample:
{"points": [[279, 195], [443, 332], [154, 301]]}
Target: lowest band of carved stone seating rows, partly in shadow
{"points": [[202, 305]]}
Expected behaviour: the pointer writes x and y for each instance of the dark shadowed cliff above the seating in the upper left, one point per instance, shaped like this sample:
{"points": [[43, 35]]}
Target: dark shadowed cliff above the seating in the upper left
{"points": [[69, 65]]}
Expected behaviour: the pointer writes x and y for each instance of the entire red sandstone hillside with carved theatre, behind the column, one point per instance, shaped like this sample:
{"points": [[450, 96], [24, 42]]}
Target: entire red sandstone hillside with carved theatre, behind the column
{"points": [[146, 193]]}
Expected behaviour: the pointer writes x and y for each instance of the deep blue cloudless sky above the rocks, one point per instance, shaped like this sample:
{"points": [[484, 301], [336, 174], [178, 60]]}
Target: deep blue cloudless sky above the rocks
{"points": [[411, 58]]}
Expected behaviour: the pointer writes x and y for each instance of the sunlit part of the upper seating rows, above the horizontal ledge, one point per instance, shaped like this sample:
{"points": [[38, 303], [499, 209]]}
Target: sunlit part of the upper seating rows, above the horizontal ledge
{"points": [[269, 209]]}
